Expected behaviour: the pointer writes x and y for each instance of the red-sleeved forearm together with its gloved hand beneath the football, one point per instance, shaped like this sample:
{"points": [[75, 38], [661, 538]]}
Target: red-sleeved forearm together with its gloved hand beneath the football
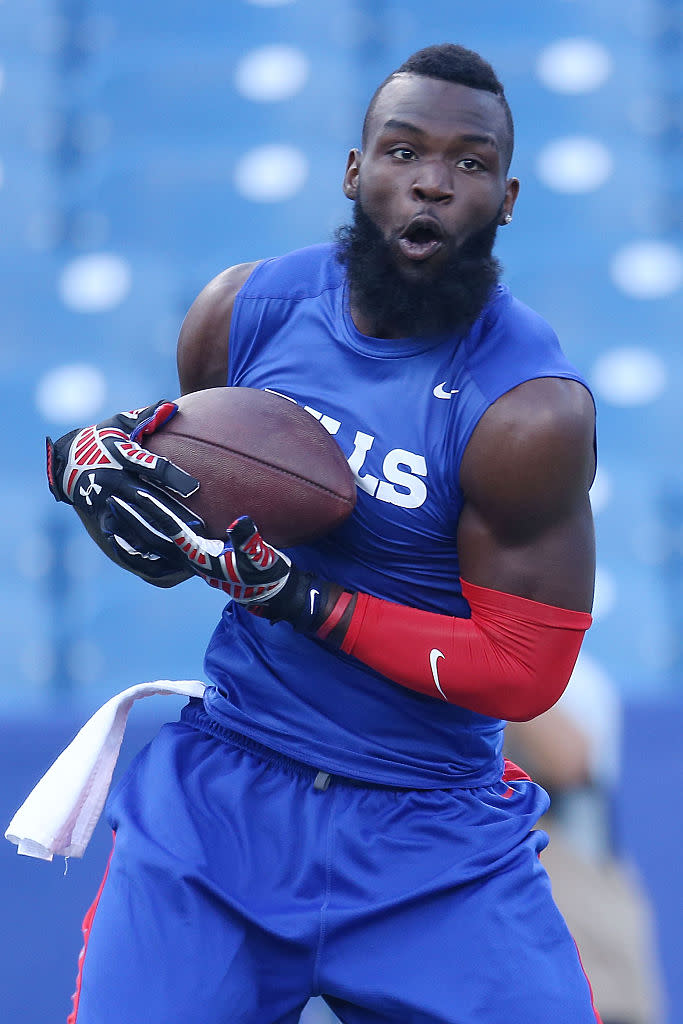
{"points": [[511, 660]]}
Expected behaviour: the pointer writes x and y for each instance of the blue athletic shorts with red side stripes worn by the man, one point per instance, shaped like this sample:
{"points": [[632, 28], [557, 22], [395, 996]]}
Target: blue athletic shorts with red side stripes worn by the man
{"points": [[242, 883]]}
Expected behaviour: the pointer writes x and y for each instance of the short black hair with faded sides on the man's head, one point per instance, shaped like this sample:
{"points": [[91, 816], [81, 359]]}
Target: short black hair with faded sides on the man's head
{"points": [[452, 64]]}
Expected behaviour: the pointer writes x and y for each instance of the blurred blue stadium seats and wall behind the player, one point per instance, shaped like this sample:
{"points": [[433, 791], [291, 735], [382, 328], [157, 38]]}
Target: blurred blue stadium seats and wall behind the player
{"points": [[144, 148]]}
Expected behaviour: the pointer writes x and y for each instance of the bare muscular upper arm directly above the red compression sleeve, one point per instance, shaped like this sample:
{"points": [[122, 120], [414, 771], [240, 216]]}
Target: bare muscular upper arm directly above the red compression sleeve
{"points": [[527, 527]]}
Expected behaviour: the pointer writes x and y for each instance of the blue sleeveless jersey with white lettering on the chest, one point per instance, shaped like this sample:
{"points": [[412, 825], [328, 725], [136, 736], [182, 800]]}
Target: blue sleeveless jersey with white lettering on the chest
{"points": [[403, 412]]}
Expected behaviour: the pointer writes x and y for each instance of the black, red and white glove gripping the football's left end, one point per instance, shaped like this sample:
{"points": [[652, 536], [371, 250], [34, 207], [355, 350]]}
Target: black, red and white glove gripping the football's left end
{"points": [[88, 467]]}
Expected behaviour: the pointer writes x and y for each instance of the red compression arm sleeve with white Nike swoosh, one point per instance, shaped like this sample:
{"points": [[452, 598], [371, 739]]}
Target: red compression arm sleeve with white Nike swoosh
{"points": [[513, 660]]}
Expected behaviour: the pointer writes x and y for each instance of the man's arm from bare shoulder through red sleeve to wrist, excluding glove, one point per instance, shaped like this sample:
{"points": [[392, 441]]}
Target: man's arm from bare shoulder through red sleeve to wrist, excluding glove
{"points": [[527, 550]]}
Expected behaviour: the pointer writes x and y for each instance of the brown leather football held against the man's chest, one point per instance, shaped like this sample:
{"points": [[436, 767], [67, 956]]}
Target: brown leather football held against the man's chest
{"points": [[258, 454]]}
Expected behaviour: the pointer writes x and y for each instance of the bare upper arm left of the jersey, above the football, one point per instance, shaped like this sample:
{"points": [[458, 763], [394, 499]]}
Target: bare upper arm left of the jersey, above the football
{"points": [[203, 344]]}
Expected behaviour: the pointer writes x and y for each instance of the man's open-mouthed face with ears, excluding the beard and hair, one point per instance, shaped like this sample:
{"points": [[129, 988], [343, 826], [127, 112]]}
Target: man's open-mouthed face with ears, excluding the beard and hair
{"points": [[434, 170]]}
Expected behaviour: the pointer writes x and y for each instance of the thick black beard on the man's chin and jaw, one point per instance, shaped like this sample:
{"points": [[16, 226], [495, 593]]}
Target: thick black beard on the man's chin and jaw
{"points": [[449, 302]]}
